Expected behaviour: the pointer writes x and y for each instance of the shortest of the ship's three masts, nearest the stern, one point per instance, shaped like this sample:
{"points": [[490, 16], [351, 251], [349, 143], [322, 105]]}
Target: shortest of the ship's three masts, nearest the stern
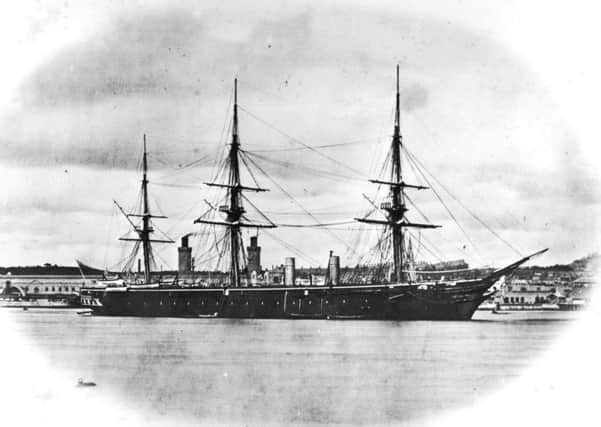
{"points": [[146, 230]]}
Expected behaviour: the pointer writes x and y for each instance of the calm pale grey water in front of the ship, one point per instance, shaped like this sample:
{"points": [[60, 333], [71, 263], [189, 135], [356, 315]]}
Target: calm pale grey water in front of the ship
{"points": [[301, 371]]}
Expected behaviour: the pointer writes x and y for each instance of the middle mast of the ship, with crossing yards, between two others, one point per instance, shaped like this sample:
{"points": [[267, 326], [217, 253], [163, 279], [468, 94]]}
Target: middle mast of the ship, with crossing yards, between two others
{"points": [[235, 220]]}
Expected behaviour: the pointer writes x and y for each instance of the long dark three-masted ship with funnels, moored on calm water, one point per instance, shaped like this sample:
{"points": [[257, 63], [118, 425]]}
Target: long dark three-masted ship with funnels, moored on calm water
{"points": [[396, 297]]}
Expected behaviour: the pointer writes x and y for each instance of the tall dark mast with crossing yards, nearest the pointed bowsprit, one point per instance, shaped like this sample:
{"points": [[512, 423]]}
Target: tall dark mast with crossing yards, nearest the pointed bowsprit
{"points": [[395, 208]]}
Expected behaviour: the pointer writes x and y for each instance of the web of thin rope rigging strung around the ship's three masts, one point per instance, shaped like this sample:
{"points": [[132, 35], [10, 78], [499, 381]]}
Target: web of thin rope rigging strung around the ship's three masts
{"points": [[216, 246]]}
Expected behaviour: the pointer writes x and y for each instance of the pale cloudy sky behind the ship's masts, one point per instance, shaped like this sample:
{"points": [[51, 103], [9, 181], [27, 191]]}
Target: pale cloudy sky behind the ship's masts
{"points": [[483, 108]]}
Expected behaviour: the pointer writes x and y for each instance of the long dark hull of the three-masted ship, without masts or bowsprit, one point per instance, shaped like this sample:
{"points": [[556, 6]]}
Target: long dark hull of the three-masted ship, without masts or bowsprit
{"points": [[360, 302]]}
